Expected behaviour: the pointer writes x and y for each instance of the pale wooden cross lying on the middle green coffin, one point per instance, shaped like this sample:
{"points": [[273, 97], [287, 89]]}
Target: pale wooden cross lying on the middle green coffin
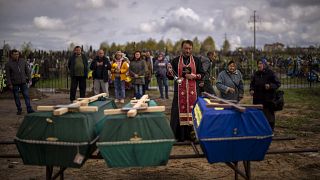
{"points": [[138, 106]]}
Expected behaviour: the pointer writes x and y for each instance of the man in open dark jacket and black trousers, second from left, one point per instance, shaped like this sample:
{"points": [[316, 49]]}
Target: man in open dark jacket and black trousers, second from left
{"points": [[78, 68]]}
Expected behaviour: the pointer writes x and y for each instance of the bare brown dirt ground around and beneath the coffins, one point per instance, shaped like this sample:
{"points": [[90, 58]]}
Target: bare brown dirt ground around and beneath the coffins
{"points": [[279, 166]]}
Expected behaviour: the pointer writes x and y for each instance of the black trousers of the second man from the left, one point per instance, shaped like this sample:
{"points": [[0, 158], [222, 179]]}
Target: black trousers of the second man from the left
{"points": [[75, 80]]}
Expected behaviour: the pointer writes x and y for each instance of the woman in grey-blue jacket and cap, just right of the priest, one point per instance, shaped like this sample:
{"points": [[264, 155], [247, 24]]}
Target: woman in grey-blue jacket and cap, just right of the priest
{"points": [[230, 83]]}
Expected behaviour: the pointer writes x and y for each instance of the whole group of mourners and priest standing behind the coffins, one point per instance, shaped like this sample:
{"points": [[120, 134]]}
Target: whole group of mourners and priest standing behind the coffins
{"points": [[191, 75]]}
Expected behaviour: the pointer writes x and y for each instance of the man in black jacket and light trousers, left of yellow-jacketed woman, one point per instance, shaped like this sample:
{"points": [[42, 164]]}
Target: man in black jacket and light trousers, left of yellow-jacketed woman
{"points": [[100, 67]]}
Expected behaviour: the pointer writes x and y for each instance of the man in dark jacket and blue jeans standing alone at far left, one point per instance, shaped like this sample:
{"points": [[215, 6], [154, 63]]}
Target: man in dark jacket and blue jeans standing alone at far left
{"points": [[18, 76]]}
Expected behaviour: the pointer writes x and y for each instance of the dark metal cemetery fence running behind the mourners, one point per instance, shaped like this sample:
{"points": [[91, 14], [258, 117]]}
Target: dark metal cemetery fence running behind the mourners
{"points": [[52, 74]]}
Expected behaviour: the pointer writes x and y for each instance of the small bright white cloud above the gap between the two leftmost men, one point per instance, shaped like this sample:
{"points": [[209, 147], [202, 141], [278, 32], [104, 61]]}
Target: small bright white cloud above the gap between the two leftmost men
{"points": [[46, 23]]}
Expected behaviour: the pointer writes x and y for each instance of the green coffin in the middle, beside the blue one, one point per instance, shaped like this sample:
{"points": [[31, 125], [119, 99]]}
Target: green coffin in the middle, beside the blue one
{"points": [[145, 140]]}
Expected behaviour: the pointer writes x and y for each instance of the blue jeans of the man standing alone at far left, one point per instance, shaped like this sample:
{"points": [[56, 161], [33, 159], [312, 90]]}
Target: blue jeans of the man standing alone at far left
{"points": [[25, 92]]}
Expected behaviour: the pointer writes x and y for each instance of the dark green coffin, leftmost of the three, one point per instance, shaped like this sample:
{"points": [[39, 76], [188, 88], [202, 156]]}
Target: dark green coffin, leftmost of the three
{"points": [[47, 140]]}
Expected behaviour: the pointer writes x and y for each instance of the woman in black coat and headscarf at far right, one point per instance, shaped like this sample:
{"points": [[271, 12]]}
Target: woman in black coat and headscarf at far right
{"points": [[263, 86]]}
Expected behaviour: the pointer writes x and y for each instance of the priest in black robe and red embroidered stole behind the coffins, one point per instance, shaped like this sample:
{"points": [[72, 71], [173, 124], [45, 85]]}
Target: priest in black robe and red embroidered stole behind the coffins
{"points": [[188, 73]]}
